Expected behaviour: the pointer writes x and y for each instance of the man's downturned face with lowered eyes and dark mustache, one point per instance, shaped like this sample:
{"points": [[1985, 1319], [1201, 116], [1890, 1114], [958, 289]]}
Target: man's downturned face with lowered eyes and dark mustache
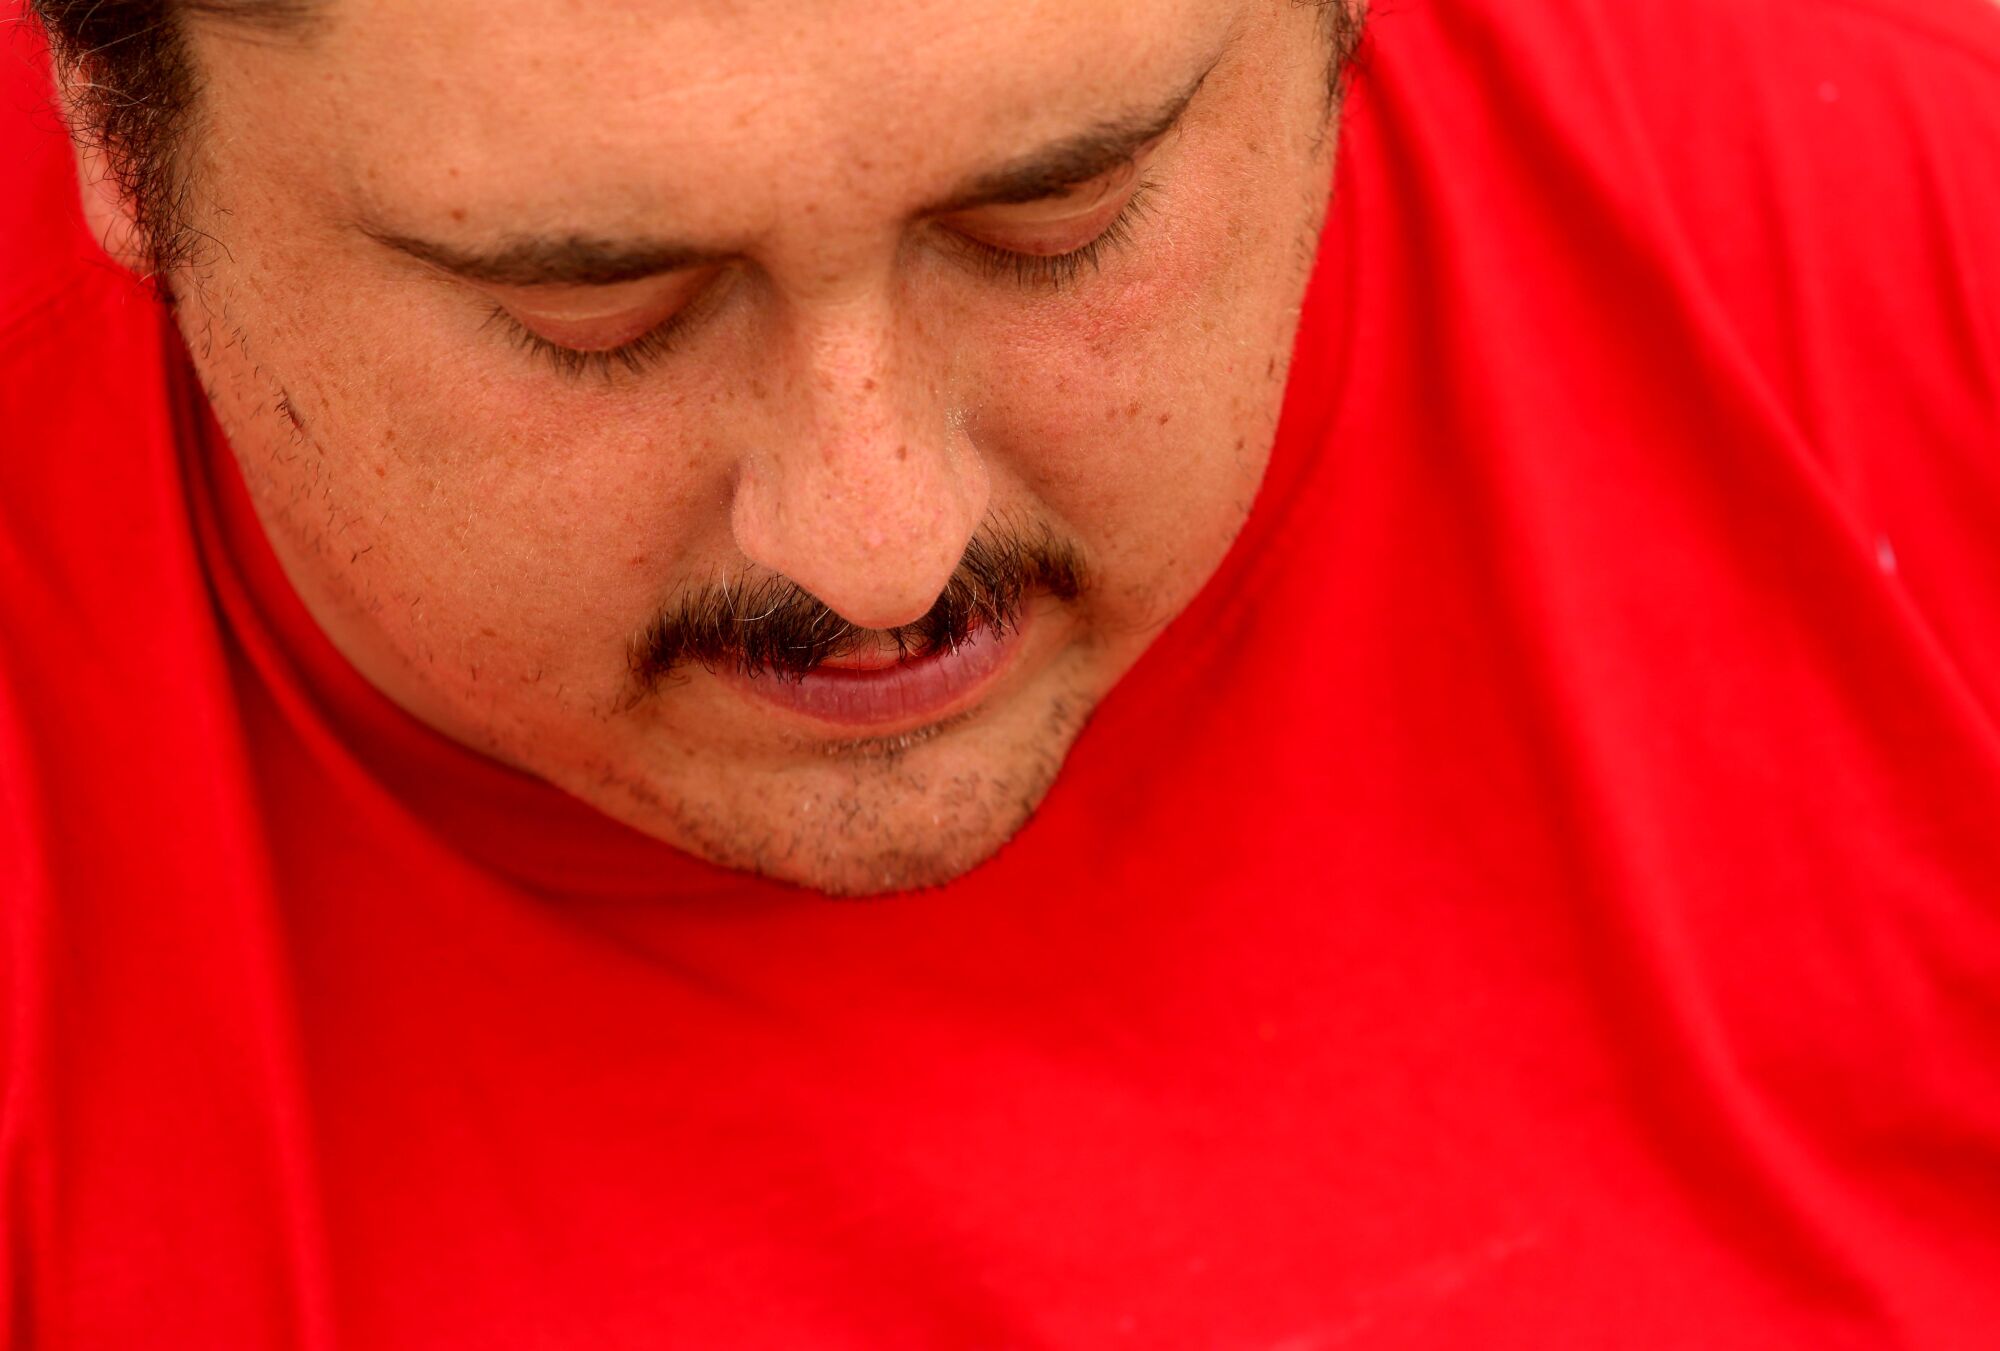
{"points": [[617, 381]]}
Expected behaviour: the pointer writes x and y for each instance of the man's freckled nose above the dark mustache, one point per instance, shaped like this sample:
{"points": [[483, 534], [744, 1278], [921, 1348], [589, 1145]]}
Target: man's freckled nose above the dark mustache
{"points": [[869, 489]]}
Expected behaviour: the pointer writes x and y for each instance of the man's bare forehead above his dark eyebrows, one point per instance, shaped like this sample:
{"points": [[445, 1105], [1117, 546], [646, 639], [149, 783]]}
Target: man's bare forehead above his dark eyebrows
{"points": [[651, 105]]}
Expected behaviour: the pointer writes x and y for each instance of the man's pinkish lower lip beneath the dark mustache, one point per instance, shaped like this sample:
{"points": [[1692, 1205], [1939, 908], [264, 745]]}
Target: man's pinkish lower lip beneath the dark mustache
{"points": [[909, 692]]}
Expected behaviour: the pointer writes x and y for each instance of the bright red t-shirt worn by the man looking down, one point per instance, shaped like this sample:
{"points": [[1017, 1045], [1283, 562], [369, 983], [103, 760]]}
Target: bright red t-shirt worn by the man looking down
{"points": [[1545, 892]]}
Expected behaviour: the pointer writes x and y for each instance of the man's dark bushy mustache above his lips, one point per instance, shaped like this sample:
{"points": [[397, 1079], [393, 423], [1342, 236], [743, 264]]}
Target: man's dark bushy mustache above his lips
{"points": [[773, 627]]}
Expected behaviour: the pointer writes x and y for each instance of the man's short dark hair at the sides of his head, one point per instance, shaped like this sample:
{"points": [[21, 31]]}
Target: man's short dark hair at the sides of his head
{"points": [[133, 87]]}
